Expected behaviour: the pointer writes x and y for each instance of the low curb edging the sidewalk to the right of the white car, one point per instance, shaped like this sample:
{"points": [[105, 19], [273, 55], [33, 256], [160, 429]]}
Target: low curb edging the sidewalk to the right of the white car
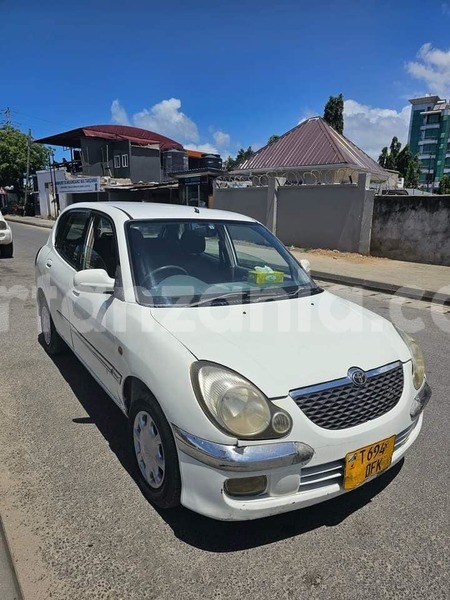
{"points": [[386, 288]]}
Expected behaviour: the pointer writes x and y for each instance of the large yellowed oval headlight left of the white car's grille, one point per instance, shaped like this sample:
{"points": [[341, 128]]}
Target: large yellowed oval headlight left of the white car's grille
{"points": [[237, 406]]}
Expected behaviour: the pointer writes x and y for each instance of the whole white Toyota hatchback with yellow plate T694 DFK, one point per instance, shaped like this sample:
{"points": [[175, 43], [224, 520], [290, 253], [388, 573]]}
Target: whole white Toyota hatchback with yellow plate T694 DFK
{"points": [[249, 390]]}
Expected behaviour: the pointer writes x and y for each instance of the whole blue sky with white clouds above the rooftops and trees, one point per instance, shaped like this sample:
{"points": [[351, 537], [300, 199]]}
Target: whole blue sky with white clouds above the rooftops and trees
{"points": [[218, 76]]}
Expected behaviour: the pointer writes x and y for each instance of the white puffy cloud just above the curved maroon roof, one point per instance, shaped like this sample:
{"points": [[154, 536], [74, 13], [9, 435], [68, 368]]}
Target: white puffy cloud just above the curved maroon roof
{"points": [[165, 118]]}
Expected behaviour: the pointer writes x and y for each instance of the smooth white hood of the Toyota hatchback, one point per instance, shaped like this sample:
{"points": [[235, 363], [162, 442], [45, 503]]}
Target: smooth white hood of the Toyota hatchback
{"points": [[284, 345]]}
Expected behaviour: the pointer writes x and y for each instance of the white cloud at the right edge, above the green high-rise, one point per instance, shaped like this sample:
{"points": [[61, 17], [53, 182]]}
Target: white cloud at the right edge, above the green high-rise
{"points": [[433, 67]]}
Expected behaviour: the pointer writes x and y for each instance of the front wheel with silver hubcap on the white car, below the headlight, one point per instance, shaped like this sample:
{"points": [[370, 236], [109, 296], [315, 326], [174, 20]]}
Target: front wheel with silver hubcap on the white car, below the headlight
{"points": [[154, 452]]}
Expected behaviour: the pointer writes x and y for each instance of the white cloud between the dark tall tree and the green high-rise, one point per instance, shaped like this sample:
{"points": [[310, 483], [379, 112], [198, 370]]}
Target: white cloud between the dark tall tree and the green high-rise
{"points": [[373, 128]]}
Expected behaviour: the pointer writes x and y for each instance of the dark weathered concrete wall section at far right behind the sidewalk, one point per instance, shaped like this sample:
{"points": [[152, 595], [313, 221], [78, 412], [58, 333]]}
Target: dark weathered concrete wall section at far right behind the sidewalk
{"points": [[412, 228]]}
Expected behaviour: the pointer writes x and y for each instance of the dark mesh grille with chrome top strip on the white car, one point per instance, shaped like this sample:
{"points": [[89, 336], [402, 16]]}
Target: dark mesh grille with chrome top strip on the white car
{"points": [[340, 404]]}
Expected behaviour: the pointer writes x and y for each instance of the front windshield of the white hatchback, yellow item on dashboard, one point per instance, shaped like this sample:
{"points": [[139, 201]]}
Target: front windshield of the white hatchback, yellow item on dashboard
{"points": [[201, 263]]}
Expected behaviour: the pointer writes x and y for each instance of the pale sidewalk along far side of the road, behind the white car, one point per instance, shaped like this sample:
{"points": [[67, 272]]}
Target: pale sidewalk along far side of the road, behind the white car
{"points": [[412, 280]]}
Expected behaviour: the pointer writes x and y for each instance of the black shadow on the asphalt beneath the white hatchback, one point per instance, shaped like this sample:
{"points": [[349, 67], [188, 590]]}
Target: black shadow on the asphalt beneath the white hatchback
{"points": [[192, 528]]}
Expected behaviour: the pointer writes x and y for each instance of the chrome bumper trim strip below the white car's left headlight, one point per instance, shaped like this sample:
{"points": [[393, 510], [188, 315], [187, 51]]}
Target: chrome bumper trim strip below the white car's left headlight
{"points": [[243, 458]]}
